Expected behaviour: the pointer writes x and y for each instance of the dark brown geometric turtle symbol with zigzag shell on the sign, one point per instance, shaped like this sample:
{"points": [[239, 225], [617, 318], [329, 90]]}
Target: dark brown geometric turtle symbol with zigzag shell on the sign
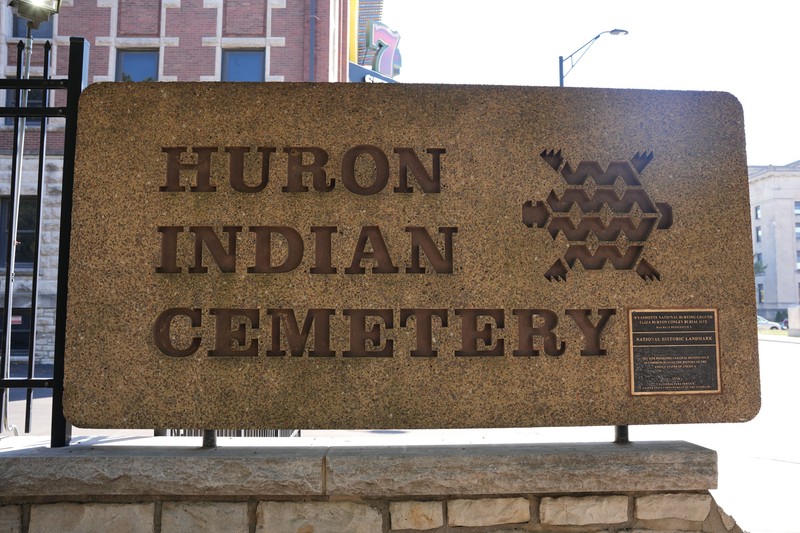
{"points": [[605, 215]]}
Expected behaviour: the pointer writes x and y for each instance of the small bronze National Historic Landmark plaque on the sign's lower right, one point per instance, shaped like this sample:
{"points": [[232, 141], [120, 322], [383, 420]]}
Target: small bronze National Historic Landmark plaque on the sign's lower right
{"points": [[674, 351]]}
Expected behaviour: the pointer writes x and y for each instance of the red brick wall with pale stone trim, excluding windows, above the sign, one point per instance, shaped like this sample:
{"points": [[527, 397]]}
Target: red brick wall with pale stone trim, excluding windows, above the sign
{"points": [[200, 27]]}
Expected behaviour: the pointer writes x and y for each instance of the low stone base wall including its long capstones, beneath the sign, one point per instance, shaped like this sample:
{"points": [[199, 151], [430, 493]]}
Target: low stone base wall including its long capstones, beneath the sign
{"points": [[164, 487]]}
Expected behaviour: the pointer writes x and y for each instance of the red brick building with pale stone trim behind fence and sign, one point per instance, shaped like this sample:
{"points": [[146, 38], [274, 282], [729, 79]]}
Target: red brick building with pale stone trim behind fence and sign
{"points": [[157, 40]]}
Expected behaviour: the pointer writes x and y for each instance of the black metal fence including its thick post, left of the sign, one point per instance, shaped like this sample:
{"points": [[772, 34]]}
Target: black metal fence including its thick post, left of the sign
{"points": [[41, 111]]}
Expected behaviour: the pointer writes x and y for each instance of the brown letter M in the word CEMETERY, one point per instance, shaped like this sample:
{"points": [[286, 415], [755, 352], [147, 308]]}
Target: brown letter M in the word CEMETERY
{"points": [[297, 338]]}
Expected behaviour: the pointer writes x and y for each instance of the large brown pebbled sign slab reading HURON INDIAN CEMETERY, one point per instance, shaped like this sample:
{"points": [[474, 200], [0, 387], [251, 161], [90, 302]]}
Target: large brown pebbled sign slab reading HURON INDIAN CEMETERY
{"points": [[404, 256]]}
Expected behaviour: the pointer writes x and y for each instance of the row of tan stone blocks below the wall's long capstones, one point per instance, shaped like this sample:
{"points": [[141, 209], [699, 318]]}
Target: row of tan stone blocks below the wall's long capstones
{"points": [[657, 512]]}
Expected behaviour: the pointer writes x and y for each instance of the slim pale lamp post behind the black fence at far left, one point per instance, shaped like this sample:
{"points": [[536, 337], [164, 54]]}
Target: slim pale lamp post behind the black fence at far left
{"points": [[35, 12]]}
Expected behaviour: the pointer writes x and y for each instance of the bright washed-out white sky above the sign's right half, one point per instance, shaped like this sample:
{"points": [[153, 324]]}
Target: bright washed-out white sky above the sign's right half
{"points": [[749, 49]]}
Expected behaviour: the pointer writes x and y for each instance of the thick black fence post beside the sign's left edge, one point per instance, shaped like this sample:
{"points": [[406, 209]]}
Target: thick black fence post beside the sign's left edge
{"points": [[61, 430]]}
